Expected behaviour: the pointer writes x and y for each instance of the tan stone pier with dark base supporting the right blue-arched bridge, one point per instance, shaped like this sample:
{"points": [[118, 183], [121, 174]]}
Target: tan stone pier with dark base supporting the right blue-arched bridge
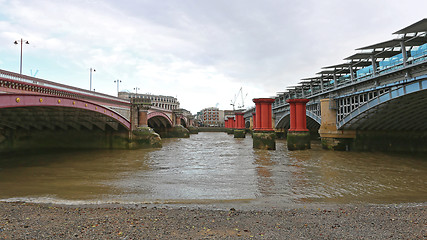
{"points": [[331, 137]]}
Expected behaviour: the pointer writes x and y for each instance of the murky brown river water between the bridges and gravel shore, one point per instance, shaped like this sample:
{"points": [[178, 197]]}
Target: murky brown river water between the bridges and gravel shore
{"points": [[214, 168]]}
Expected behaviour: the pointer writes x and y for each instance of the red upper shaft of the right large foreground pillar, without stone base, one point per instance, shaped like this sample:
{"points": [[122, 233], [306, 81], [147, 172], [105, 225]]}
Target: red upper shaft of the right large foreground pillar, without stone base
{"points": [[298, 115]]}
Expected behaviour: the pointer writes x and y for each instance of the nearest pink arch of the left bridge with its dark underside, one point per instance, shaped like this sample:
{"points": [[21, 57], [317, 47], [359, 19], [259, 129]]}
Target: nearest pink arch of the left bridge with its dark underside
{"points": [[40, 111]]}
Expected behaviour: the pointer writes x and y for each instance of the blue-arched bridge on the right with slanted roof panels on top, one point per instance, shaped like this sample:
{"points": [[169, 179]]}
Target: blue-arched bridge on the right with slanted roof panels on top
{"points": [[375, 100]]}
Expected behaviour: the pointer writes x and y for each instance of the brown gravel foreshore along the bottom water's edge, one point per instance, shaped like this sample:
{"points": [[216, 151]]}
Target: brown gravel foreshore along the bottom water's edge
{"points": [[48, 221]]}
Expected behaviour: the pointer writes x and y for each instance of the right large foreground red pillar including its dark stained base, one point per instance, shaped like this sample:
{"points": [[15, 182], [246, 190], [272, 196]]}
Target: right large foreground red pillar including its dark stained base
{"points": [[298, 137]]}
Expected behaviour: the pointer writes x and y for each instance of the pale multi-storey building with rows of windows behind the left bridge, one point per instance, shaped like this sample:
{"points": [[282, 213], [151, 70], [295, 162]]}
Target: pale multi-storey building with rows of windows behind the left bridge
{"points": [[164, 102]]}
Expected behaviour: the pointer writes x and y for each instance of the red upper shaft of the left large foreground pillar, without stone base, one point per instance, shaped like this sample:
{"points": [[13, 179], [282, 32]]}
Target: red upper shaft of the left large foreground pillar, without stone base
{"points": [[263, 114]]}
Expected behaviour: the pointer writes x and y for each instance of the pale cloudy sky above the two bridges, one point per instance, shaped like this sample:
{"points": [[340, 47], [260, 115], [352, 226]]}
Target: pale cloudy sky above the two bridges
{"points": [[201, 51]]}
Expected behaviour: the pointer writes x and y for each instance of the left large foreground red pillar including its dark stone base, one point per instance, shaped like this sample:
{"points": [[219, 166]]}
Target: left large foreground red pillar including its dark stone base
{"points": [[263, 136]]}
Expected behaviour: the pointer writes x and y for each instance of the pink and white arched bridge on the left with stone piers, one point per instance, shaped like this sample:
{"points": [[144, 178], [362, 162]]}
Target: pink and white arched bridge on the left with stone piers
{"points": [[36, 113]]}
